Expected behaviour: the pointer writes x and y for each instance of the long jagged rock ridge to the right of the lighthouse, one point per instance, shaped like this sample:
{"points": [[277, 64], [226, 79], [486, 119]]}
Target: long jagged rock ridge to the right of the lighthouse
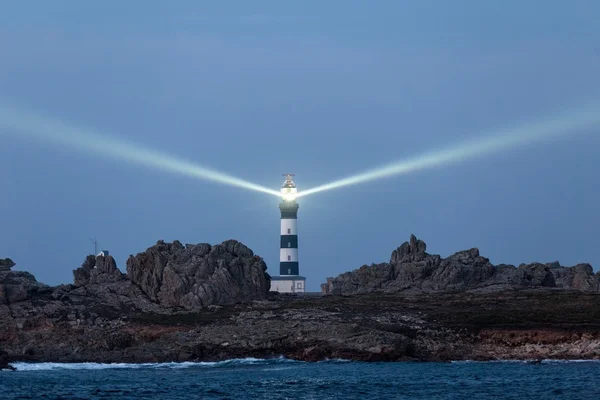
{"points": [[412, 269]]}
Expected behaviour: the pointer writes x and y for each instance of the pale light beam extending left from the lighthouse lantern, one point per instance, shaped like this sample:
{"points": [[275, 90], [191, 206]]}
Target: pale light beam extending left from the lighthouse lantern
{"points": [[26, 123]]}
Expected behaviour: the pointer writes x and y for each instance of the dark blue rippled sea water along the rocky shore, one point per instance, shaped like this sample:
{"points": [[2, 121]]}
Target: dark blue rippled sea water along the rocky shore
{"points": [[286, 379]]}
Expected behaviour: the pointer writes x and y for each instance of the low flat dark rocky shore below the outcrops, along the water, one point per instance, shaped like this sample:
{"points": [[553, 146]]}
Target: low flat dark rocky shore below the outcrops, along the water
{"points": [[520, 325]]}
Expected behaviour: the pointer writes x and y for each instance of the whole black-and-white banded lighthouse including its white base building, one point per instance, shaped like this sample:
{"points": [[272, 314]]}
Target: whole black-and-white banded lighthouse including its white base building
{"points": [[289, 279]]}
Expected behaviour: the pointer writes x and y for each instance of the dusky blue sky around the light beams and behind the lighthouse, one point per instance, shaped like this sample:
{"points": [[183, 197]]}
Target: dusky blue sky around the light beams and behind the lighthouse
{"points": [[322, 89]]}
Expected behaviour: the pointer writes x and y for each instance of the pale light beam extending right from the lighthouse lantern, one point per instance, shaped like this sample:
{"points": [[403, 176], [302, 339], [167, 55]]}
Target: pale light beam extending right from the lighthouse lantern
{"points": [[564, 124]]}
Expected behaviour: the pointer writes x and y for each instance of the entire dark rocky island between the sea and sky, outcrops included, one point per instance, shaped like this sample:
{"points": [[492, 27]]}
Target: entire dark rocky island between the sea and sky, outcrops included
{"points": [[212, 302]]}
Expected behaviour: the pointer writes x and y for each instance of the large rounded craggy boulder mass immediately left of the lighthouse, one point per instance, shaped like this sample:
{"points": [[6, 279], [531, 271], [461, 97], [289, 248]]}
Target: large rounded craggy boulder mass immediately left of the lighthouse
{"points": [[196, 276]]}
